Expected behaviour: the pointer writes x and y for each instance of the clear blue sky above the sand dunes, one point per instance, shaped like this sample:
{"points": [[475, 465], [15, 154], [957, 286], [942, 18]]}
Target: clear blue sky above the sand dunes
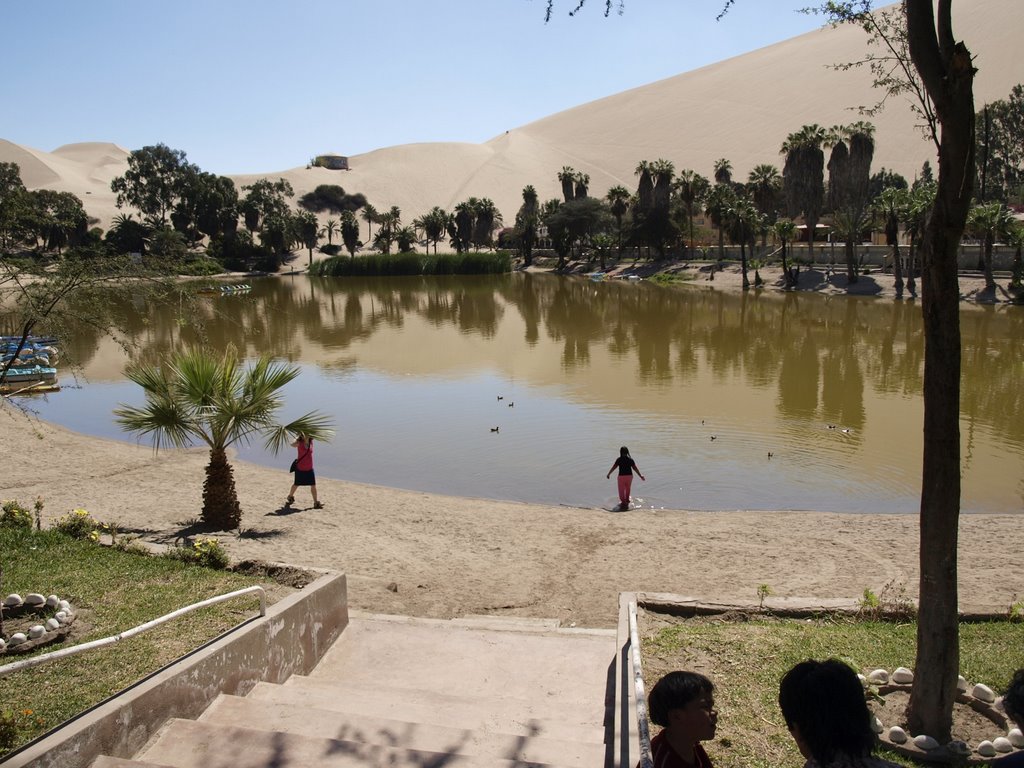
{"points": [[264, 86]]}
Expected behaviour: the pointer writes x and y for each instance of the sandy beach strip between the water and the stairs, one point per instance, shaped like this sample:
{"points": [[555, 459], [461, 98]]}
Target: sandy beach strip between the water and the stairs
{"points": [[426, 556]]}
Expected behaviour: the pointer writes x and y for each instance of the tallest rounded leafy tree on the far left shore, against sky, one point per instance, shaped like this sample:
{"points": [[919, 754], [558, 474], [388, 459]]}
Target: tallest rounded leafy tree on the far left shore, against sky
{"points": [[156, 179]]}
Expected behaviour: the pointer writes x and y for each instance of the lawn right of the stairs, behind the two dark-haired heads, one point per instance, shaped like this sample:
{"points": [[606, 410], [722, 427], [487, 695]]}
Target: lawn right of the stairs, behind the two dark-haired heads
{"points": [[747, 658]]}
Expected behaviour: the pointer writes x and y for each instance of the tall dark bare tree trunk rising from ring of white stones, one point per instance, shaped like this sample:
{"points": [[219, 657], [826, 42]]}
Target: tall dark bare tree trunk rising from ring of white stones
{"points": [[948, 74]]}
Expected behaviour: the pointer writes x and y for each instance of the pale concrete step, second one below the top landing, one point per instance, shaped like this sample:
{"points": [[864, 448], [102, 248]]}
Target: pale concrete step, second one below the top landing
{"points": [[317, 722]]}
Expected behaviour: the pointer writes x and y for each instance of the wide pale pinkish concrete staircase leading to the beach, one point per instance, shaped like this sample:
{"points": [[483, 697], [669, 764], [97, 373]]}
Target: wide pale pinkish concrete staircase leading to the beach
{"points": [[396, 692]]}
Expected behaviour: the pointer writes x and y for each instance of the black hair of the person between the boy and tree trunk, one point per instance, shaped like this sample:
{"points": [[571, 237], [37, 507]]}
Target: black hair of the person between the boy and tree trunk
{"points": [[826, 700]]}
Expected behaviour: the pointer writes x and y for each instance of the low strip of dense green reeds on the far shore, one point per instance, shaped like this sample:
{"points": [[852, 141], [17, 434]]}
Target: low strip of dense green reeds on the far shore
{"points": [[377, 265]]}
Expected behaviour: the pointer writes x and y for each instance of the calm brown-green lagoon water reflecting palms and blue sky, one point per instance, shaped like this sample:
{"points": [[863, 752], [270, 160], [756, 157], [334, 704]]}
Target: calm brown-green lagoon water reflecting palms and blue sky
{"points": [[702, 386]]}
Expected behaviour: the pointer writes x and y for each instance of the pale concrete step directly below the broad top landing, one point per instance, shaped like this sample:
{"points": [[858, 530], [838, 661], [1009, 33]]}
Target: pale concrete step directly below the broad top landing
{"points": [[580, 722]]}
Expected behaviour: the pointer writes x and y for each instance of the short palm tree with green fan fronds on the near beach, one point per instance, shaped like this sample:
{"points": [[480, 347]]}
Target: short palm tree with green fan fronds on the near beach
{"points": [[202, 396]]}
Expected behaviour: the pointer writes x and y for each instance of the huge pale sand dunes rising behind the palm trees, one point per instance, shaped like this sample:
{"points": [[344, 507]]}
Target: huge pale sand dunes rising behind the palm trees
{"points": [[741, 109]]}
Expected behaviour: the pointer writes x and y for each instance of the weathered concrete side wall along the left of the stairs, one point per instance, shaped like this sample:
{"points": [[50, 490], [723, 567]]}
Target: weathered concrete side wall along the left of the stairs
{"points": [[290, 639]]}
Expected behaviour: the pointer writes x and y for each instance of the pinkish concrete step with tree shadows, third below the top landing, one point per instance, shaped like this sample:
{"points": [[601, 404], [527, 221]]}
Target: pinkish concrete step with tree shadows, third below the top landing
{"points": [[186, 744]]}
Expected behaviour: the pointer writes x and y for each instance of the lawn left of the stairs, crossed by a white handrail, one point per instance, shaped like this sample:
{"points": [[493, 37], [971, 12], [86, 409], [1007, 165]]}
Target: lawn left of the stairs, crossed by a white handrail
{"points": [[111, 591]]}
